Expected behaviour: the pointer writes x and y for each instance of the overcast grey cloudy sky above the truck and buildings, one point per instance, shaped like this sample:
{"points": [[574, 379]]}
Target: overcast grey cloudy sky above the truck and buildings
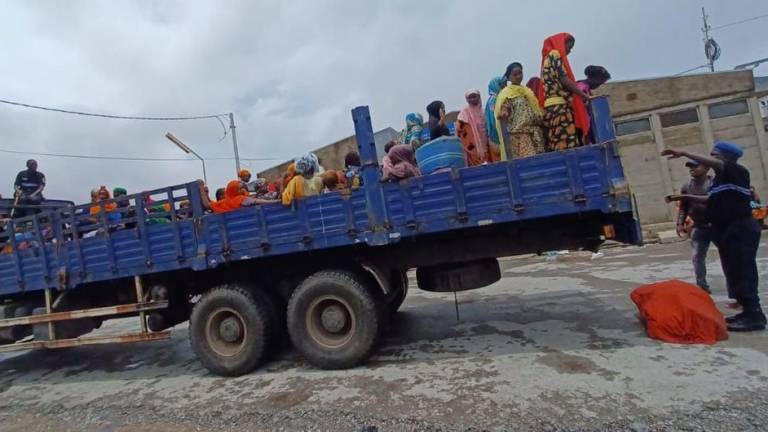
{"points": [[291, 71]]}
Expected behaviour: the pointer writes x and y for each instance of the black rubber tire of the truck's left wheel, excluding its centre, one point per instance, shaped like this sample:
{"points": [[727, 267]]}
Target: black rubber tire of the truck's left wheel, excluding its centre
{"points": [[259, 327]]}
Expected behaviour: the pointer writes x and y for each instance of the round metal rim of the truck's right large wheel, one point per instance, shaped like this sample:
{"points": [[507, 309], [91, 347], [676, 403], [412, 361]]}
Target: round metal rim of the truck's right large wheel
{"points": [[330, 321]]}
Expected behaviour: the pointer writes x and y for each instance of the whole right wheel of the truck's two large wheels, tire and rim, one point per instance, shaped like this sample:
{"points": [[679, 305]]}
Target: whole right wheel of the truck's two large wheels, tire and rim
{"points": [[334, 319]]}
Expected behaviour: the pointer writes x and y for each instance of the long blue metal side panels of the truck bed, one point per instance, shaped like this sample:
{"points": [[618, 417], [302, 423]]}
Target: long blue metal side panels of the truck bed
{"points": [[585, 180]]}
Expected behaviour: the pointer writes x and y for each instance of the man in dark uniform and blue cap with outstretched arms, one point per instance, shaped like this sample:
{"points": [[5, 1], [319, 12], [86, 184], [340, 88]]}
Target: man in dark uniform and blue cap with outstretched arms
{"points": [[735, 233]]}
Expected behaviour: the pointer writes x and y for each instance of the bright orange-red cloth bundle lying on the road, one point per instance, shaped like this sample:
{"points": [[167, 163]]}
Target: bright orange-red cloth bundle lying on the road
{"points": [[679, 312]]}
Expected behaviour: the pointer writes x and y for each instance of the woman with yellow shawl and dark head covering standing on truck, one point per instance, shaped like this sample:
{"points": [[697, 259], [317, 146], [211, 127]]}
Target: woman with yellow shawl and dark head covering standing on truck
{"points": [[518, 118]]}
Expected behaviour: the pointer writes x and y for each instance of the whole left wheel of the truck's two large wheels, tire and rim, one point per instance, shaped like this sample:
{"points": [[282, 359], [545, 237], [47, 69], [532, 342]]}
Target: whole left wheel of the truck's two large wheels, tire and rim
{"points": [[231, 330]]}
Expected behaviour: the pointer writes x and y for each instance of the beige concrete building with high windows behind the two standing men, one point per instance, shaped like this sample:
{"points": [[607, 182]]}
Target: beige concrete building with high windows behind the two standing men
{"points": [[689, 112]]}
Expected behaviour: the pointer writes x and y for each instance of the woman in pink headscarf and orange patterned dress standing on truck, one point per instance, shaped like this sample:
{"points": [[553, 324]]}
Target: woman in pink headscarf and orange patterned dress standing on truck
{"points": [[470, 128]]}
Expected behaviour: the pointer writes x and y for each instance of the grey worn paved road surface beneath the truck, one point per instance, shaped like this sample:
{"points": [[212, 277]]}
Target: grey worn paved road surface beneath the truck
{"points": [[553, 345]]}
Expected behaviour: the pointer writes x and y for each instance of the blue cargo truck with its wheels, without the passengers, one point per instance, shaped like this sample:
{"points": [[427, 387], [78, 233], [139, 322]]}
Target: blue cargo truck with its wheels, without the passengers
{"points": [[328, 272]]}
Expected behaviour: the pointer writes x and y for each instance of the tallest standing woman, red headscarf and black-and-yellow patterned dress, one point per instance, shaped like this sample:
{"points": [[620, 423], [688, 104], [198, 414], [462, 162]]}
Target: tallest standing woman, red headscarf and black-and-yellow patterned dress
{"points": [[565, 114]]}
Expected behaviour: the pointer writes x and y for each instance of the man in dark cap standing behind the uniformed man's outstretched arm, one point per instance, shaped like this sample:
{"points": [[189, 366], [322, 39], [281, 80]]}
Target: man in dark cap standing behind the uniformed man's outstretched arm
{"points": [[700, 232]]}
